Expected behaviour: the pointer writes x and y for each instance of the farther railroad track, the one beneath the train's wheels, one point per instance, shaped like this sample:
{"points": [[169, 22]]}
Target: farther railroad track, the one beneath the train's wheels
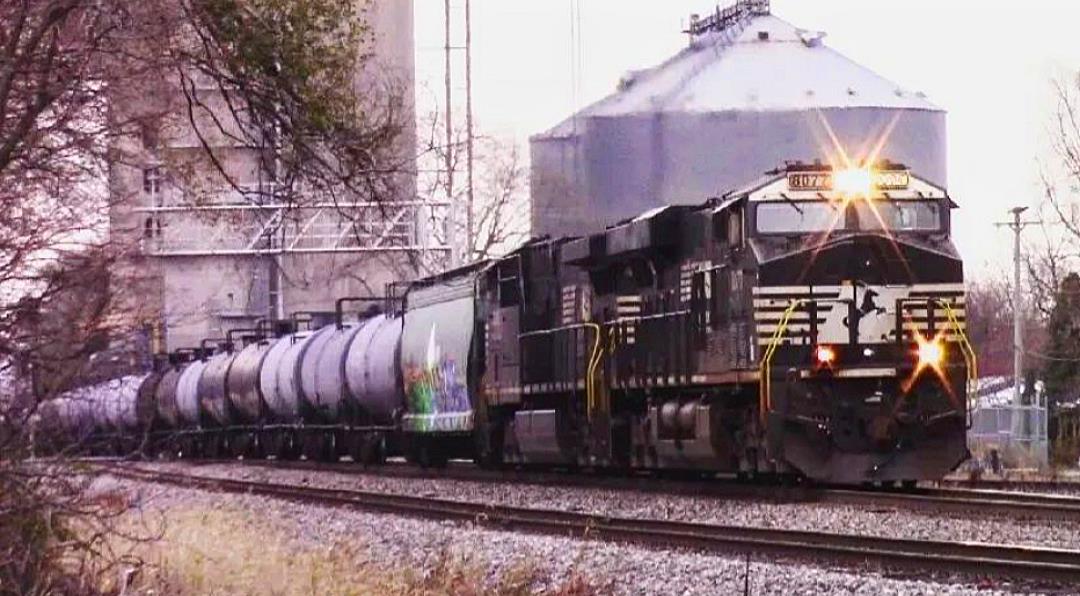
{"points": [[988, 504]]}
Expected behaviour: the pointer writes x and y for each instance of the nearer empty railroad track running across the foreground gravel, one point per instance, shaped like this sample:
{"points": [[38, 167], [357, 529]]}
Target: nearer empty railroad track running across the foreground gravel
{"points": [[1031, 564]]}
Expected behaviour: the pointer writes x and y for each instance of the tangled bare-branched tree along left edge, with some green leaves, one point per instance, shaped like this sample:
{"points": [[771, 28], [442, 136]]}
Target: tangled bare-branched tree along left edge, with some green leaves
{"points": [[85, 85]]}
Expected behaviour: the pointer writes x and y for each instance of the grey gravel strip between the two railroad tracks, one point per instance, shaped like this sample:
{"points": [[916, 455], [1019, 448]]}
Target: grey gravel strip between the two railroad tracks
{"points": [[826, 518]]}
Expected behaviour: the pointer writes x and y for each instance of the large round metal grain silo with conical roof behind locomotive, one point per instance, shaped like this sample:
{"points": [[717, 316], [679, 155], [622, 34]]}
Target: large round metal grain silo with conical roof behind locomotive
{"points": [[749, 93]]}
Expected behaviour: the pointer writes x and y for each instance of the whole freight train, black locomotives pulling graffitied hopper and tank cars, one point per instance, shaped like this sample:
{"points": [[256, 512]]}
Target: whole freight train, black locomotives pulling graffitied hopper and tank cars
{"points": [[811, 324]]}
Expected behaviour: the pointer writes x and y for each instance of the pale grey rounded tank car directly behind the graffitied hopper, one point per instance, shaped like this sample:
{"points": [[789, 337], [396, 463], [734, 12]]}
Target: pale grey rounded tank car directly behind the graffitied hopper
{"points": [[372, 376]]}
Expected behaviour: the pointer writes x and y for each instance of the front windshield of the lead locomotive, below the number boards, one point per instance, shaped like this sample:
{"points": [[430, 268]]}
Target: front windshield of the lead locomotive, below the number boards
{"points": [[799, 218]]}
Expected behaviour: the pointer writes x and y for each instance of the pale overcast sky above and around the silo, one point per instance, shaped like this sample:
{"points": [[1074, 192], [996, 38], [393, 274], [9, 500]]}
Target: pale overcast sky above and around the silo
{"points": [[989, 64]]}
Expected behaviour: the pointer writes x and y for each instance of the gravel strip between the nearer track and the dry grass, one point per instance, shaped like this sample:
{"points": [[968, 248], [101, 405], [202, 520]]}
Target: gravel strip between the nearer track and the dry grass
{"points": [[395, 541]]}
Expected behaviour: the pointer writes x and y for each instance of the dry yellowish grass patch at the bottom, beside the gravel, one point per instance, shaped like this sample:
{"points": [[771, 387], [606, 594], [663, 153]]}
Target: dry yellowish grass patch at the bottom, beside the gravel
{"points": [[234, 552]]}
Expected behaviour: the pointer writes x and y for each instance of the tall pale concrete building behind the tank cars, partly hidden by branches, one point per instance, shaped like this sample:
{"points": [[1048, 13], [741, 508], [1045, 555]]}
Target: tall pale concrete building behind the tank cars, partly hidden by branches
{"points": [[209, 260]]}
